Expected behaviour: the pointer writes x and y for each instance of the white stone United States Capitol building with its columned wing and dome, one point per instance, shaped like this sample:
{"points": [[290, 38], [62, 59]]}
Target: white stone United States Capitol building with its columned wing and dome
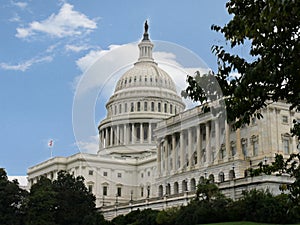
{"points": [[153, 152]]}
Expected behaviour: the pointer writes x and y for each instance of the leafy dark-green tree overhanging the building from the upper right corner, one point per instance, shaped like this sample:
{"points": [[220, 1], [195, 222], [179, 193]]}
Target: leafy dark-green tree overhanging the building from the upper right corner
{"points": [[271, 71]]}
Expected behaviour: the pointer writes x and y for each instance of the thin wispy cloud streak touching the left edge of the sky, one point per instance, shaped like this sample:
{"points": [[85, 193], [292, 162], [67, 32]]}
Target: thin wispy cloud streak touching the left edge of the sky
{"points": [[25, 65]]}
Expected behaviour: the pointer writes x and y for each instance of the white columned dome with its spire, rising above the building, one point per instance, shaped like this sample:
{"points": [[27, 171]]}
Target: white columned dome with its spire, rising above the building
{"points": [[143, 96]]}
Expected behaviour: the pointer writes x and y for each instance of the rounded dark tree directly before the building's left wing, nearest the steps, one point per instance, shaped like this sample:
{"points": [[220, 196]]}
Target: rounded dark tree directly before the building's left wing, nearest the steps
{"points": [[74, 201]]}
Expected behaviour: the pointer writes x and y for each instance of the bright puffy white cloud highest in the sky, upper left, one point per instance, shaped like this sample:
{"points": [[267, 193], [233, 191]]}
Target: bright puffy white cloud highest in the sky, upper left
{"points": [[65, 23]]}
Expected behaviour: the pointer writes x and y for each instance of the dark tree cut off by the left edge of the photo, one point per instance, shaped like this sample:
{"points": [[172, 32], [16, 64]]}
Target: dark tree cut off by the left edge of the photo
{"points": [[12, 198]]}
